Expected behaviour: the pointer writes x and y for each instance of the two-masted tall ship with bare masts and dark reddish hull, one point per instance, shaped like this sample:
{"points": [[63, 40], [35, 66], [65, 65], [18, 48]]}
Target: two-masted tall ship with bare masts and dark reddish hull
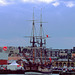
{"points": [[37, 50]]}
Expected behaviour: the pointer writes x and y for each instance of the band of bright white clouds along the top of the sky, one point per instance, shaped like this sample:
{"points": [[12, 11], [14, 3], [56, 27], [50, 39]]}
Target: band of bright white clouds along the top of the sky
{"points": [[53, 2]]}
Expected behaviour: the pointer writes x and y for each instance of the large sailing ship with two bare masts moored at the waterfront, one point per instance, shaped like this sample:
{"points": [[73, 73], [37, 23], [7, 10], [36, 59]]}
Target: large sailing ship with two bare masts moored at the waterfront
{"points": [[38, 43]]}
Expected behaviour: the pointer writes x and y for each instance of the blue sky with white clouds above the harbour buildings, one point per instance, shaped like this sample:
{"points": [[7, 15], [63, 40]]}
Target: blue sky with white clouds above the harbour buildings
{"points": [[14, 24]]}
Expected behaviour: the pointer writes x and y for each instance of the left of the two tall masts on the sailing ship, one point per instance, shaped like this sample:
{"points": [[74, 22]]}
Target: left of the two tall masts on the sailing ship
{"points": [[33, 38]]}
